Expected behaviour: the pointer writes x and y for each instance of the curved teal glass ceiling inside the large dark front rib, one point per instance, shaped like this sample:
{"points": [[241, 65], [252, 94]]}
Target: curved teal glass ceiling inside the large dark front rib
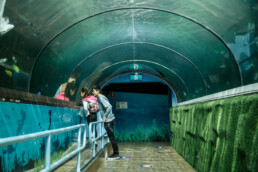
{"points": [[198, 56]]}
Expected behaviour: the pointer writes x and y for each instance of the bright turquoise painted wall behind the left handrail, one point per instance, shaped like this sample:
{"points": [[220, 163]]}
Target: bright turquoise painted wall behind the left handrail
{"points": [[20, 119]]}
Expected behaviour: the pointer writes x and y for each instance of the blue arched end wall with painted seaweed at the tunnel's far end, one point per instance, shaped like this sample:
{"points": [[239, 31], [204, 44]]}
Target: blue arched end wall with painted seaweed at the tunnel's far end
{"points": [[140, 105]]}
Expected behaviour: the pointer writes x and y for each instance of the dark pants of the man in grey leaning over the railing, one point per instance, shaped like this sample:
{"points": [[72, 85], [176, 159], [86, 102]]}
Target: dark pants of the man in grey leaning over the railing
{"points": [[109, 126]]}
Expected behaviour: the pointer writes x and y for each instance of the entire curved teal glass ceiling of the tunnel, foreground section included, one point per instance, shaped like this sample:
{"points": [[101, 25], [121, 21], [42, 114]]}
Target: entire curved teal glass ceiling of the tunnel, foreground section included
{"points": [[183, 50]]}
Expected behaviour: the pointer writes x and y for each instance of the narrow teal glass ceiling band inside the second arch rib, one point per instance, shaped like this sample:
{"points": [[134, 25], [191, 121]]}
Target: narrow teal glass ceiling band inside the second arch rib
{"points": [[112, 59]]}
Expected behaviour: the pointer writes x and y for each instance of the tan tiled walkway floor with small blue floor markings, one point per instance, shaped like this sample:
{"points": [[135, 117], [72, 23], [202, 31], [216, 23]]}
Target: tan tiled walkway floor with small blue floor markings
{"points": [[163, 158]]}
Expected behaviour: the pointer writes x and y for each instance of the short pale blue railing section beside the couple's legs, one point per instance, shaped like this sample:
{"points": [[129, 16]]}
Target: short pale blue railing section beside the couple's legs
{"points": [[101, 135]]}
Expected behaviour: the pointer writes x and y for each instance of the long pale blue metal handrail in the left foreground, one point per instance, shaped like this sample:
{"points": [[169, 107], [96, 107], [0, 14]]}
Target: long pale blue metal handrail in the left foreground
{"points": [[48, 165]]}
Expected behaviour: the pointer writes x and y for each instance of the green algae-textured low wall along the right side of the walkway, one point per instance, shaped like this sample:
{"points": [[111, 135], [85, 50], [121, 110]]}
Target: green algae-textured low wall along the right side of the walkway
{"points": [[219, 135]]}
